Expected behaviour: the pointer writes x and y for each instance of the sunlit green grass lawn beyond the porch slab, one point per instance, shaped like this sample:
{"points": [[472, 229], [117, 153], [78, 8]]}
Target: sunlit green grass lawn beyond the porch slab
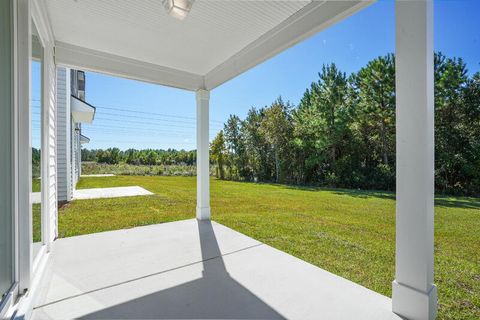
{"points": [[350, 233]]}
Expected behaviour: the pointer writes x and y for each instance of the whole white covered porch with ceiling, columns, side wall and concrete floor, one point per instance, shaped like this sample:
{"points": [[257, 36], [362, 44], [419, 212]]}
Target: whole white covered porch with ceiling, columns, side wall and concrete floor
{"points": [[196, 268]]}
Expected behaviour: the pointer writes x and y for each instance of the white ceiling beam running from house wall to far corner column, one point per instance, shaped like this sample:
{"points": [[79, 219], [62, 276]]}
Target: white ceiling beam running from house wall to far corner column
{"points": [[71, 56]]}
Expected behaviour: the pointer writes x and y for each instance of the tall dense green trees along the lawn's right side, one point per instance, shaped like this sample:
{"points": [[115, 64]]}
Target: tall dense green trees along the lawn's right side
{"points": [[342, 133]]}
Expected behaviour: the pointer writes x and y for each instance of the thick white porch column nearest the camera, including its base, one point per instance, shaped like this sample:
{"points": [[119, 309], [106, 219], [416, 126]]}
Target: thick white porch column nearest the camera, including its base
{"points": [[414, 294]]}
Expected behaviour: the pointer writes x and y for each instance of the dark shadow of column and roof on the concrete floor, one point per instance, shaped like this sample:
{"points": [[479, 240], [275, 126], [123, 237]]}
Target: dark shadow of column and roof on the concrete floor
{"points": [[214, 296]]}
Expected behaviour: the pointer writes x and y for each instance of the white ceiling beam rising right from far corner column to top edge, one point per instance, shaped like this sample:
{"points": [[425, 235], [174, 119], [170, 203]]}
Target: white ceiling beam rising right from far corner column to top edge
{"points": [[313, 18]]}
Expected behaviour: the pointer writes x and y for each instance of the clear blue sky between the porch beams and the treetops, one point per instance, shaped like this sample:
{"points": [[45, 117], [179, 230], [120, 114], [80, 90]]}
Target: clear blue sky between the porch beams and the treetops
{"points": [[141, 115]]}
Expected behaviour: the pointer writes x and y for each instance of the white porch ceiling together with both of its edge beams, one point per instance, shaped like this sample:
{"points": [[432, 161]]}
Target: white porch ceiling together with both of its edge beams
{"points": [[217, 41]]}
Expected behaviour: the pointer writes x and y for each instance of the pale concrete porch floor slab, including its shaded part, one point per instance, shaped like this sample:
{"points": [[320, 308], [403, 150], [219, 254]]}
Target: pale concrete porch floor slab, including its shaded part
{"points": [[190, 269]]}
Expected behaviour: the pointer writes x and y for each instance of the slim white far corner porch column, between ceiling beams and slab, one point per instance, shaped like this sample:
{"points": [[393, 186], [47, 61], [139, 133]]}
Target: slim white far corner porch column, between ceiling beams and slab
{"points": [[203, 164]]}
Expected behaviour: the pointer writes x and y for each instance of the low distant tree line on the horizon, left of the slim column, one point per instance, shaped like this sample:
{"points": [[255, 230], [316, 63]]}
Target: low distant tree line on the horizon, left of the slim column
{"points": [[140, 157]]}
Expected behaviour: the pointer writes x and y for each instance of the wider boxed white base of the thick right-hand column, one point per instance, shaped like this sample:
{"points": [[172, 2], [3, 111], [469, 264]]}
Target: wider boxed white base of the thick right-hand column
{"points": [[412, 303]]}
